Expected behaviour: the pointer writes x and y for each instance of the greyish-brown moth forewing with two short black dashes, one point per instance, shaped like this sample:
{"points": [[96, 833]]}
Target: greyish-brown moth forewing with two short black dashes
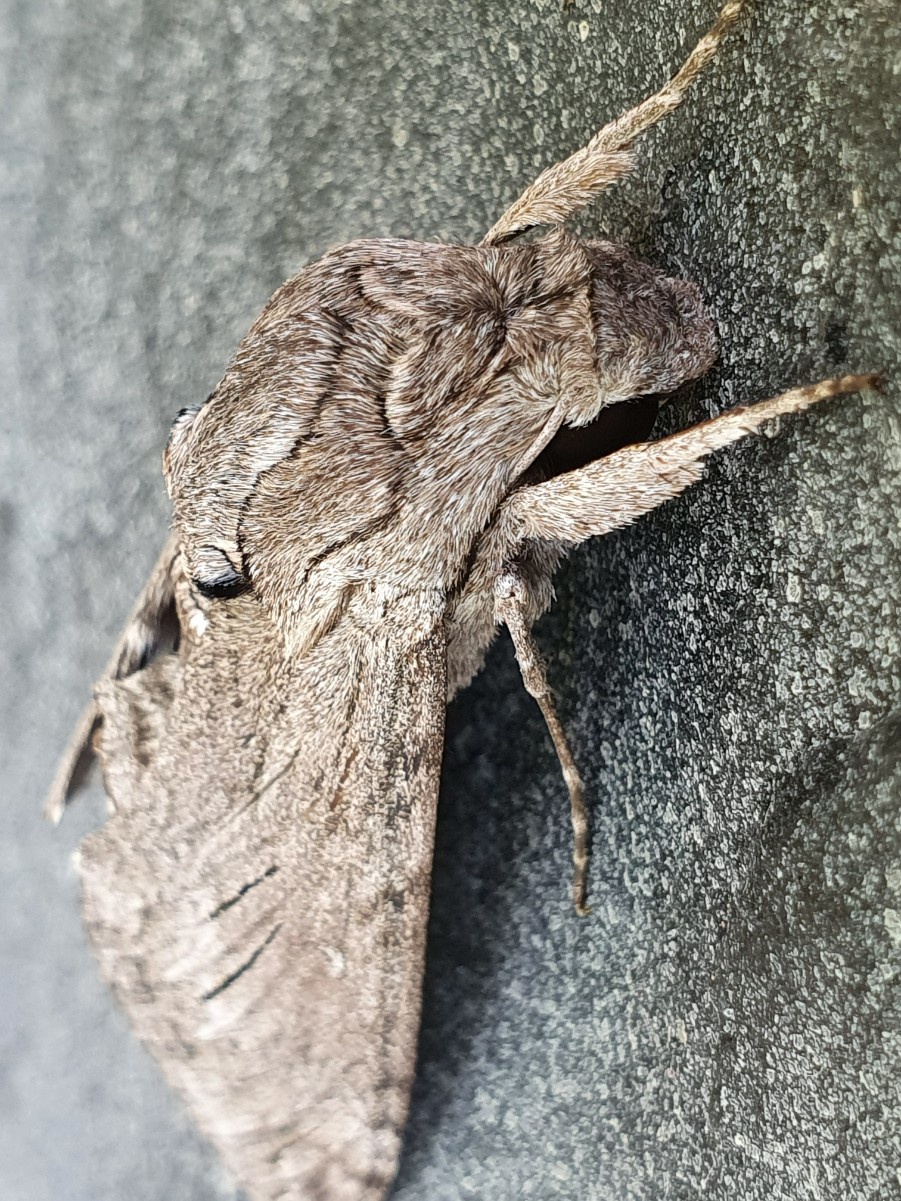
{"points": [[259, 900]]}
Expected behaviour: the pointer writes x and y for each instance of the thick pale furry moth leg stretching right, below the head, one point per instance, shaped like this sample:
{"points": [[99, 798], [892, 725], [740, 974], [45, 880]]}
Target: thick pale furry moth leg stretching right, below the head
{"points": [[614, 491]]}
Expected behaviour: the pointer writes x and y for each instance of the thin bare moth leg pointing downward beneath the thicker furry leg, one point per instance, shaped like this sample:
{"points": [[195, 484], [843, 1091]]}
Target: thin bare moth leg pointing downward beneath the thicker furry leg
{"points": [[512, 608]]}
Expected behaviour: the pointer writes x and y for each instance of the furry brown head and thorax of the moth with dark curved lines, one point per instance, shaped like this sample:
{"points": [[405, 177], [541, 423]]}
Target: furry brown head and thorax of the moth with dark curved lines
{"points": [[391, 397]]}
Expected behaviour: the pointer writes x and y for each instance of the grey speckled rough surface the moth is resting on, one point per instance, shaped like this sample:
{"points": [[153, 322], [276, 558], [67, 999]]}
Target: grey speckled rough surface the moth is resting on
{"points": [[726, 1024]]}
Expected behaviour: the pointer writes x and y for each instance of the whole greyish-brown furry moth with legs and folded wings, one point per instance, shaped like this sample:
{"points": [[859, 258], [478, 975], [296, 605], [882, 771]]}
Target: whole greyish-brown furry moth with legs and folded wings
{"points": [[403, 449]]}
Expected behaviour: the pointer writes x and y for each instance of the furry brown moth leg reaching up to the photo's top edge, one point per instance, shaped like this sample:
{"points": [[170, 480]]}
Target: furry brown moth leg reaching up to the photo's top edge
{"points": [[570, 186]]}
